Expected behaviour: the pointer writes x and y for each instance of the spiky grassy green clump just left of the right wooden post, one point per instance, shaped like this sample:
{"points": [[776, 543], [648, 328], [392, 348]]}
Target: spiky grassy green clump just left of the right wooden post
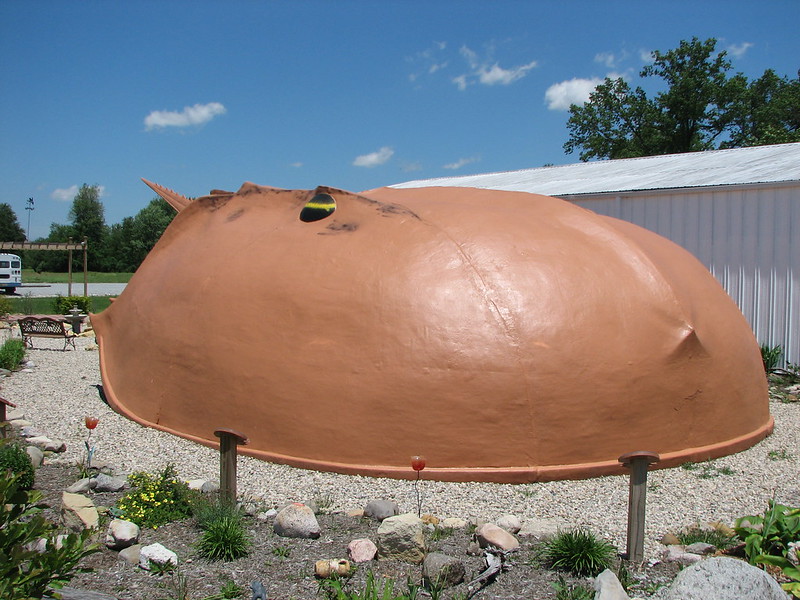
{"points": [[578, 551]]}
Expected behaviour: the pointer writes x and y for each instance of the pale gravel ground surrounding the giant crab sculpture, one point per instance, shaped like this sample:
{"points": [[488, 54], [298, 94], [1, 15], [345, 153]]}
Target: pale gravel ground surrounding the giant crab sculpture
{"points": [[60, 389]]}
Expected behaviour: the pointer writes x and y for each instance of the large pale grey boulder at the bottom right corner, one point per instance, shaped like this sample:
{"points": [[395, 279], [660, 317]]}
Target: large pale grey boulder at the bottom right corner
{"points": [[722, 578]]}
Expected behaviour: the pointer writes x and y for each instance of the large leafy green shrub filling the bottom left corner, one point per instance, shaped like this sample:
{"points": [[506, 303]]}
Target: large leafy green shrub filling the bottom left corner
{"points": [[24, 571]]}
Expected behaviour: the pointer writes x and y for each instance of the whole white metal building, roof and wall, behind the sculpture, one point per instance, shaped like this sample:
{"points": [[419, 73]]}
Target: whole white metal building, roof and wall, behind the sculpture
{"points": [[737, 211]]}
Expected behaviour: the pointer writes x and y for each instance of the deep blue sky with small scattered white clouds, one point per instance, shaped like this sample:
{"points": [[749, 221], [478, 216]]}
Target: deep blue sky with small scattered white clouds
{"points": [[352, 94]]}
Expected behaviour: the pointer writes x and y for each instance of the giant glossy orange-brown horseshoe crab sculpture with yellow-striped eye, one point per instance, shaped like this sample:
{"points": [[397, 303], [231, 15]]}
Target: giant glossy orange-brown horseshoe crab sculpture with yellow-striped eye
{"points": [[509, 337]]}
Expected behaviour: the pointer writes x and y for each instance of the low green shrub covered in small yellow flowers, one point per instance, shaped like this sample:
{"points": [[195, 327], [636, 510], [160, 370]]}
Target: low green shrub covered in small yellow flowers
{"points": [[156, 499]]}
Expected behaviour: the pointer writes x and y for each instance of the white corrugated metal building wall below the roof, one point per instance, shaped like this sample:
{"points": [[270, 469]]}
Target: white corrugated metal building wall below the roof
{"points": [[748, 237]]}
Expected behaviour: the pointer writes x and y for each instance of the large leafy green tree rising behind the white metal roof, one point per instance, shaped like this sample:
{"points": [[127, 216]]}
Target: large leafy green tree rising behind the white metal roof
{"points": [[702, 108]]}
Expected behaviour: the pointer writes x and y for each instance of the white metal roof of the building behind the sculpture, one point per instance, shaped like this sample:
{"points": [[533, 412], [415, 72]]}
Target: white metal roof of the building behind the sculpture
{"points": [[758, 164]]}
